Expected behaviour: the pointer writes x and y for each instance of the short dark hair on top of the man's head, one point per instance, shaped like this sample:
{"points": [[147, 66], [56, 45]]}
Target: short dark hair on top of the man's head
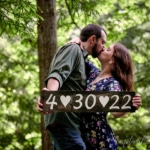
{"points": [[89, 30]]}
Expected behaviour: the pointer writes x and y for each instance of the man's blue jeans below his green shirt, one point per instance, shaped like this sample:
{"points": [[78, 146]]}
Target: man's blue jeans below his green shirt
{"points": [[66, 139]]}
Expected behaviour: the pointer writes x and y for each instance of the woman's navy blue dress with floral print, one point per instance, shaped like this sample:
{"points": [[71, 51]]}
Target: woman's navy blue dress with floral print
{"points": [[98, 134]]}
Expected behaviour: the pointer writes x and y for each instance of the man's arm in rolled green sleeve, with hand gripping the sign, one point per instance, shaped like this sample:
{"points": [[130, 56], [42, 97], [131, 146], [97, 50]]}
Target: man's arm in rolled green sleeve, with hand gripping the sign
{"points": [[61, 70]]}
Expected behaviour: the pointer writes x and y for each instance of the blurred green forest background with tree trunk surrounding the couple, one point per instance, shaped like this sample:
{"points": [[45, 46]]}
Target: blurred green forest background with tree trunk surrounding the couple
{"points": [[31, 32]]}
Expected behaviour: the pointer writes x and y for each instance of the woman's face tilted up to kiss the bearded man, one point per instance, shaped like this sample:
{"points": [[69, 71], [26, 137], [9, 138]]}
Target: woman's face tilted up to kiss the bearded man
{"points": [[106, 55]]}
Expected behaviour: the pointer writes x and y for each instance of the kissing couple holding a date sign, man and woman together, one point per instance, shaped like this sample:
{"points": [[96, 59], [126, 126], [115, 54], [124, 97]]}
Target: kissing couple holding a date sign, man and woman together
{"points": [[70, 71]]}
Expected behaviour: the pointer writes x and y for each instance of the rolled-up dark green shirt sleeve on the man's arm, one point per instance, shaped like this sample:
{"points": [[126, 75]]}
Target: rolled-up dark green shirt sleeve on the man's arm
{"points": [[63, 63]]}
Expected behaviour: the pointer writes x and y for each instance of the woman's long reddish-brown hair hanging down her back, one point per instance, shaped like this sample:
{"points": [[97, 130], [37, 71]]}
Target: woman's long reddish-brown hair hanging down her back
{"points": [[123, 70]]}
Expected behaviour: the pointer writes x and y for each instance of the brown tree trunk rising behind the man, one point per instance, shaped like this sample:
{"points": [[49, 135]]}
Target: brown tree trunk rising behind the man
{"points": [[47, 45]]}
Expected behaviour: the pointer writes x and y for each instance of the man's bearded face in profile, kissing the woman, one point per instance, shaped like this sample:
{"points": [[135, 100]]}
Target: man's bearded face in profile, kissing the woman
{"points": [[99, 45]]}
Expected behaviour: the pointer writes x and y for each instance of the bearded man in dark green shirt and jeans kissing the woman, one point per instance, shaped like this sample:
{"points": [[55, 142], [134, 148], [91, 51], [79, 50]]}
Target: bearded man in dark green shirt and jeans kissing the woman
{"points": [[68, 72]]}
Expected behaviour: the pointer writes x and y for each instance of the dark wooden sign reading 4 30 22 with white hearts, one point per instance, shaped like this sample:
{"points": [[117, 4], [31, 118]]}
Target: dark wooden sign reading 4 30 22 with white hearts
{"points": [[82, 101]]}
